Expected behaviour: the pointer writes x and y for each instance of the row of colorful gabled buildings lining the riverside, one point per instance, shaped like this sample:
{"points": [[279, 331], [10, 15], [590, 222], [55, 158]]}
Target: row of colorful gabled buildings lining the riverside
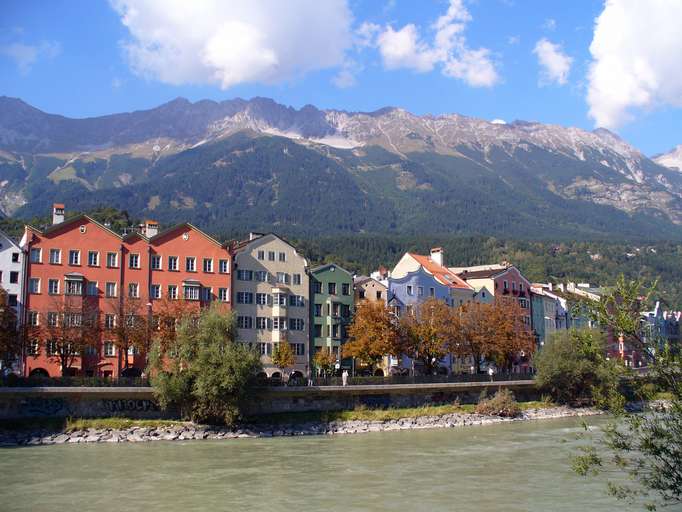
{"points": [[276, 296]]}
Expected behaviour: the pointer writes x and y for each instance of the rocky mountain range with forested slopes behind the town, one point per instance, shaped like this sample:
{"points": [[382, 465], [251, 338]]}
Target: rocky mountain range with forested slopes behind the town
{"points": [[241, 165]]}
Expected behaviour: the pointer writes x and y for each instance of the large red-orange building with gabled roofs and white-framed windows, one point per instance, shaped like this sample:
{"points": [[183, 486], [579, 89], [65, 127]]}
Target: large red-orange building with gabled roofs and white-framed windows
{"points": [[80, 269]]}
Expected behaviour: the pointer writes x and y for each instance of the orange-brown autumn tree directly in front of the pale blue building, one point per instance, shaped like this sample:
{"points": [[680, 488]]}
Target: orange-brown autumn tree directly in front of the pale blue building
{"points": [[426, 333]]}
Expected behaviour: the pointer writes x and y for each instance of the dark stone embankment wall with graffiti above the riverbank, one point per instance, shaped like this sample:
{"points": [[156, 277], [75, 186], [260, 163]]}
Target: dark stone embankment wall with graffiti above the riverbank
{"points": [[140, 402]]}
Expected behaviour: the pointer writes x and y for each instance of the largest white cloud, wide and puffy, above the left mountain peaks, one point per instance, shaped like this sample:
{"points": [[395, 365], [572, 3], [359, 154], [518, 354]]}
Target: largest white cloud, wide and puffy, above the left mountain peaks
{"points": [[231, 42]]}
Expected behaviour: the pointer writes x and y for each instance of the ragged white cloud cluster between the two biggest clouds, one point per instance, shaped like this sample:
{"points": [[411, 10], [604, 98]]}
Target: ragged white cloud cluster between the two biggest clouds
{"points": [[404, 48]]}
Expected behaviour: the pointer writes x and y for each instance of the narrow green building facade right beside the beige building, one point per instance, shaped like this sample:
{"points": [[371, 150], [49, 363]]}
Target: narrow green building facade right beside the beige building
{"points": [[332, 303]]}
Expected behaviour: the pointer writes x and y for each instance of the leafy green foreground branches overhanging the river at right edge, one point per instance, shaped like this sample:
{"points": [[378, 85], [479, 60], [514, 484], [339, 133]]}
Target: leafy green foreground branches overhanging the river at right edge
{"points": [[647, 448]]}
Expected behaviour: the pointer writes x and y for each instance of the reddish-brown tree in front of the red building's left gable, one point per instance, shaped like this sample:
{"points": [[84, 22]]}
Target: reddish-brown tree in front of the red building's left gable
{"points": [[71, 327]]}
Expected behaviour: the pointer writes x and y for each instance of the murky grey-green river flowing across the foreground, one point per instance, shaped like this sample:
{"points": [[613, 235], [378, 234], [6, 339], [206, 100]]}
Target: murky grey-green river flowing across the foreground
{"points": [[510, 467]]}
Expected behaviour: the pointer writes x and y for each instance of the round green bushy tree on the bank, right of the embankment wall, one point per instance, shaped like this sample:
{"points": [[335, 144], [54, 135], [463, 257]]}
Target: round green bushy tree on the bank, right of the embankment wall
{"points": [[573, 367]]}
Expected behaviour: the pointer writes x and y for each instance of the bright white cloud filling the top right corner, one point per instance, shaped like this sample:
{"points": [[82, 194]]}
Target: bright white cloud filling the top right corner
{"points": [[635, 64]]}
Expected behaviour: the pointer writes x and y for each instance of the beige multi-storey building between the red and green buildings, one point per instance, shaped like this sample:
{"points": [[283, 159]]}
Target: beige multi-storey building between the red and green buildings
{"points": [[270, 297]]}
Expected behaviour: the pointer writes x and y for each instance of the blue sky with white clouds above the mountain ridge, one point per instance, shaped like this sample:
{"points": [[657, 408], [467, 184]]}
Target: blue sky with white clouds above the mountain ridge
{"points": [[585, 63]]}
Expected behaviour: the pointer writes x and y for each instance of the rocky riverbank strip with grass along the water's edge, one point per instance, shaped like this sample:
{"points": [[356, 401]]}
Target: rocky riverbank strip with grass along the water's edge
{"points": [[122, 431]]}
